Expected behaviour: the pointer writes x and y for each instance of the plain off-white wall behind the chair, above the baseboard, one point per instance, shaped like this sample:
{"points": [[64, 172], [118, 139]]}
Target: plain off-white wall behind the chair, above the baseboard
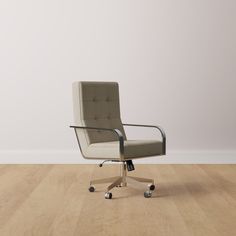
{"points": [[175, 62]]}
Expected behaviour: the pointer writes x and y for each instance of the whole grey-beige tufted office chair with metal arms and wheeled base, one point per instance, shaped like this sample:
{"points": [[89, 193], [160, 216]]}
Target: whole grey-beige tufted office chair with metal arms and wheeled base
{"points": [[101, 135]]}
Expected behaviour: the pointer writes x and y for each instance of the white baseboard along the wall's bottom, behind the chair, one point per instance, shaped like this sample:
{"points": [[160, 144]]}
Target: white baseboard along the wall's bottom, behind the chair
{"points": [[74, 157]]}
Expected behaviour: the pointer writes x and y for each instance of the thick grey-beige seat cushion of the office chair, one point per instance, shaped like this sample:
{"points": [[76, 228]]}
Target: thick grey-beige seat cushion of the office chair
{"points": [[132, 149]]}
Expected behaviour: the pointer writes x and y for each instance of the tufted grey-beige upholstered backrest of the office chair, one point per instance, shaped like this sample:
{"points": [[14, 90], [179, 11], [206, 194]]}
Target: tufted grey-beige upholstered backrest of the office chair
{"points": [[96, 104]]}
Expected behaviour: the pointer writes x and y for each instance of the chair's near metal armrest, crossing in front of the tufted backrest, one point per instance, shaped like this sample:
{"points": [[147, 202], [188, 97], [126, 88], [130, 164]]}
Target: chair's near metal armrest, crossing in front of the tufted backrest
{"points": [[116, 131]]}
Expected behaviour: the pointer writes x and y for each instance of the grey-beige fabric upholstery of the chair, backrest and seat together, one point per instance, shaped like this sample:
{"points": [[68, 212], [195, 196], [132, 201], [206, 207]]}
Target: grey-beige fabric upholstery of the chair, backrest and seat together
{"points": [[96, 104]]}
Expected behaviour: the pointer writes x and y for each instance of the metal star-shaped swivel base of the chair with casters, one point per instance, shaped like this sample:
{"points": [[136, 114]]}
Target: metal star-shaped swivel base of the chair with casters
{"points": [[123, 180]]}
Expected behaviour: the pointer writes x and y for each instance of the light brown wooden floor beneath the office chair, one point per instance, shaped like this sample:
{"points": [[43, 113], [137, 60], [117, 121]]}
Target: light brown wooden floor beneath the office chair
{"points": [[54, 200]]}
